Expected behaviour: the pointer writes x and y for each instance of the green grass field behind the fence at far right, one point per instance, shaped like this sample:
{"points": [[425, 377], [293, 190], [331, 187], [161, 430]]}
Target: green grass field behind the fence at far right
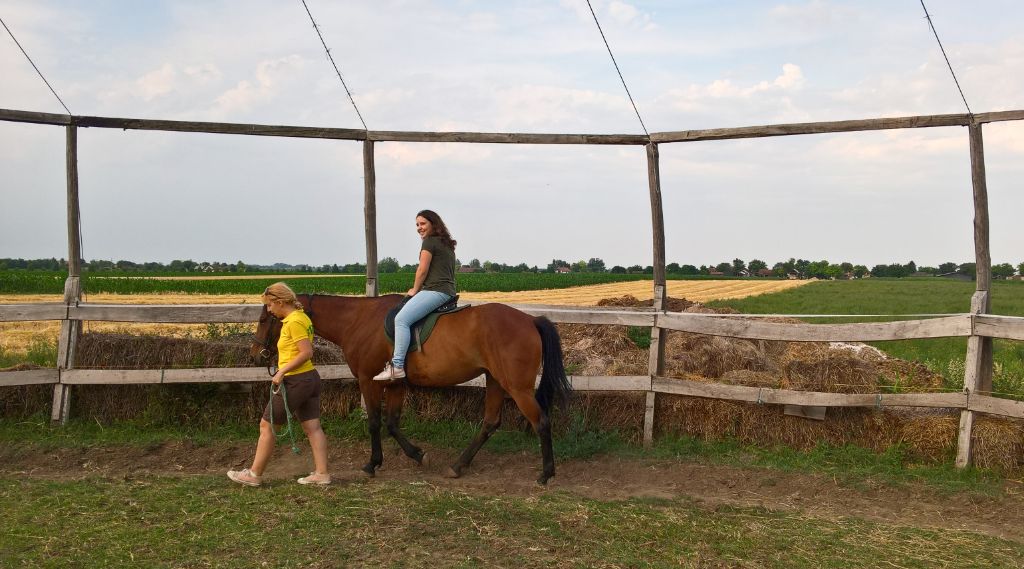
{"points": [[908, 296]]}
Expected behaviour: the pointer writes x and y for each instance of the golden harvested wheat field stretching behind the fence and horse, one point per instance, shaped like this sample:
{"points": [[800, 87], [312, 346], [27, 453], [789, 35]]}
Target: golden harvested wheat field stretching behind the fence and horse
{"points": [[18, 337]]}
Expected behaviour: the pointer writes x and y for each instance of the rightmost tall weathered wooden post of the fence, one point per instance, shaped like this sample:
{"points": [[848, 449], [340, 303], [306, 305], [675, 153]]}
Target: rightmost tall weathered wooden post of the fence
{"points": [[978, 368]]}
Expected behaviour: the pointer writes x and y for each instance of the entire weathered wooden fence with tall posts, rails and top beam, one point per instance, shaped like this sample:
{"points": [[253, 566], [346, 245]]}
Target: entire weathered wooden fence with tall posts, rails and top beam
{"points": [[978, 326]]}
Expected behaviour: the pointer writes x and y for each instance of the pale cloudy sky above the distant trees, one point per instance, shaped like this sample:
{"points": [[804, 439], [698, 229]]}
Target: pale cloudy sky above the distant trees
{"points": [[869, 198]]}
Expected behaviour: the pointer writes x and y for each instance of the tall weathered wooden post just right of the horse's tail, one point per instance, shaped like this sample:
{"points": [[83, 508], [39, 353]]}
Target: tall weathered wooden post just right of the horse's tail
{"points": [[656, 366]]}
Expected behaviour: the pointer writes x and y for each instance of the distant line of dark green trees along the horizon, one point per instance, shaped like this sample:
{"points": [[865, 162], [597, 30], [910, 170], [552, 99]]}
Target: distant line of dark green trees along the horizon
{"points": [[793, 269]]}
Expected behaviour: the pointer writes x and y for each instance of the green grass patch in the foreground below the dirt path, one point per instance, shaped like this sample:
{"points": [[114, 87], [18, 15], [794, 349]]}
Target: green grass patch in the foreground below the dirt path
{"points": [[206, 521]]}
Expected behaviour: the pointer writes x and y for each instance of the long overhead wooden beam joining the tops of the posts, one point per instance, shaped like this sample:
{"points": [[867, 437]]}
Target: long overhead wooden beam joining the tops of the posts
{"points": [[923, 121]]}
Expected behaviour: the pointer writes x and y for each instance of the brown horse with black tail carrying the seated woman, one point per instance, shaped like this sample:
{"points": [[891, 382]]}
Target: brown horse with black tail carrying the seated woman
{"points": [[504, 344]]}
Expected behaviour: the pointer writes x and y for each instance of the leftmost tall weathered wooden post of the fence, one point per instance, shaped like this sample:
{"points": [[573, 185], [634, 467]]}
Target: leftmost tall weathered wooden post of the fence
{"points": [[70, 330]]}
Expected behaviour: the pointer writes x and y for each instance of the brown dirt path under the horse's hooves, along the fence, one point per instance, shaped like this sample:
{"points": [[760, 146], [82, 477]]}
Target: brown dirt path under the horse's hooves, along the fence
{"points": [[602, 478]]}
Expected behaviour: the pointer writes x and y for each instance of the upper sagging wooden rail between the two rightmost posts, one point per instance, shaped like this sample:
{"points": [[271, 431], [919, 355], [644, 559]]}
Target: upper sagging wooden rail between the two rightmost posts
{"points": [[866, 332]]}
